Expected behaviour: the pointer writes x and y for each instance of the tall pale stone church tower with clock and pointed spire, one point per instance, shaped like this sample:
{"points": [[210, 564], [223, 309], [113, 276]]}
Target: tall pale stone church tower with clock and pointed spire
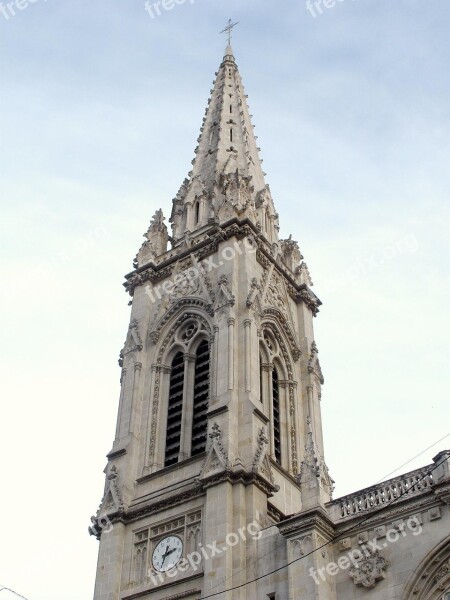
{"points": [[219, 424]]}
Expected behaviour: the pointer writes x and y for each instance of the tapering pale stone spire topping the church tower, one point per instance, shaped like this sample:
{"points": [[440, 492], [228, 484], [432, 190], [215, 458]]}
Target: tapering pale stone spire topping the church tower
{"points": [[227, 180]]}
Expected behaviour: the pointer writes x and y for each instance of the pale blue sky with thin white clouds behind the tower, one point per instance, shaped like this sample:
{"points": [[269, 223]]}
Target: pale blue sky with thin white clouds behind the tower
{"points": [[100, 107]]}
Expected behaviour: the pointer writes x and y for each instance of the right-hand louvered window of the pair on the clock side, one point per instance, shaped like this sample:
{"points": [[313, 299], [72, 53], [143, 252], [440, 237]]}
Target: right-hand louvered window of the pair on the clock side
{"points": [[200, 401]]}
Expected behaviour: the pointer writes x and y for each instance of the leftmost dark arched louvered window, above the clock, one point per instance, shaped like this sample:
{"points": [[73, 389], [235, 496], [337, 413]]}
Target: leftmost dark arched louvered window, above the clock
{"points": [[175, 409]]}
